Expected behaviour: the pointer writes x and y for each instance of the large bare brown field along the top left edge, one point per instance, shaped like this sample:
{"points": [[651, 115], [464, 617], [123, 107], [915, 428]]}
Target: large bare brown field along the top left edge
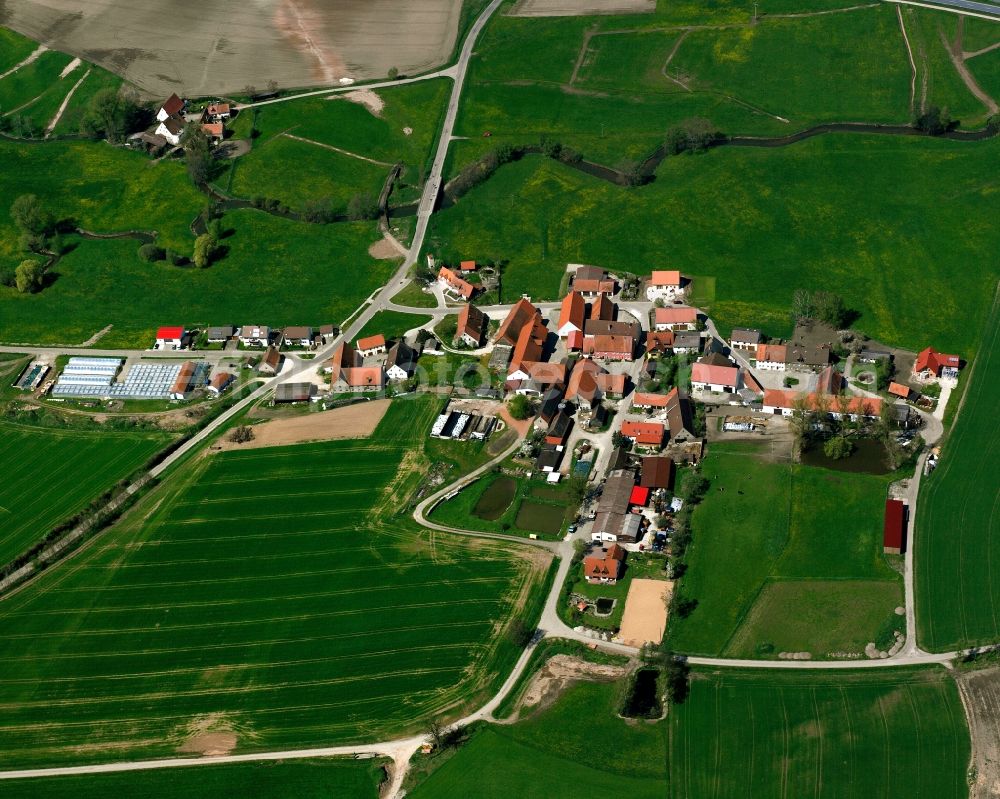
{"points": [[200, 47]]}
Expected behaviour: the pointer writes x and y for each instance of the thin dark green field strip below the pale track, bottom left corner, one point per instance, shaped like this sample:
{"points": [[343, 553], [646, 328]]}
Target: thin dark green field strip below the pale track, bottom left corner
{"points": [[289, 779]]}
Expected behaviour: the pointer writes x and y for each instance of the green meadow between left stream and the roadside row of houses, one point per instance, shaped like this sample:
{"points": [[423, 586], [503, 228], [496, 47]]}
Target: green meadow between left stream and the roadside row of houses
{"points": [[275, 270]]}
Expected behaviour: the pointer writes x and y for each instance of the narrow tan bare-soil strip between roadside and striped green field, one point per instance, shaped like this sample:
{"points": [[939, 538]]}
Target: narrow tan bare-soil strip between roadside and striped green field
{"points": [[353, 421]]}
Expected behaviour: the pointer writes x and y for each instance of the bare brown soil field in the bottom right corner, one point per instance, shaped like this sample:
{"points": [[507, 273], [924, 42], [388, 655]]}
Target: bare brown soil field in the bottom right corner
{"points": [[980, 692]]}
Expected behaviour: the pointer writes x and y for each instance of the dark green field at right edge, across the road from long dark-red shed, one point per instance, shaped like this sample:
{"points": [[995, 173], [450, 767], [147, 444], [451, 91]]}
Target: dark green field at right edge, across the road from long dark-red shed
{"points": [[957, 545]]}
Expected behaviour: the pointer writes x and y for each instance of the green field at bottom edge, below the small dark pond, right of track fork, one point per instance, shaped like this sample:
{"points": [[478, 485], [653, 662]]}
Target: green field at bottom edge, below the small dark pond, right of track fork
{"points": [[577, 748]]}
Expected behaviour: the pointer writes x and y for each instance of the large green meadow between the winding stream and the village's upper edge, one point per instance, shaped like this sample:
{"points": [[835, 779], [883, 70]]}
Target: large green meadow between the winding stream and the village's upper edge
{"points": [[792, 217]]}
